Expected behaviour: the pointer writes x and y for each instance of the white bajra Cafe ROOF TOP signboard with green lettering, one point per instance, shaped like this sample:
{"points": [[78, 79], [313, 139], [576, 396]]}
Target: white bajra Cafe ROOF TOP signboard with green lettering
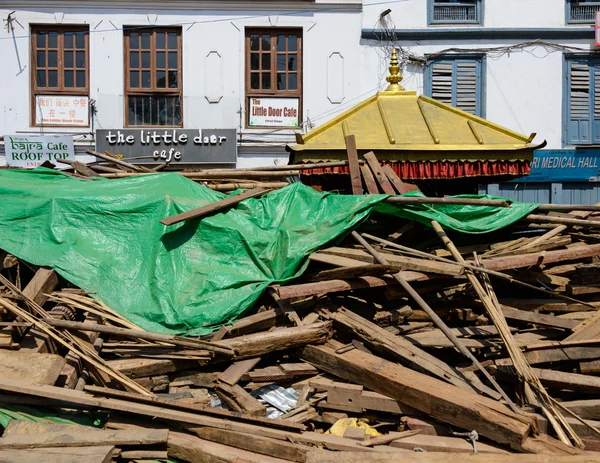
{"points": [[30, 152]]}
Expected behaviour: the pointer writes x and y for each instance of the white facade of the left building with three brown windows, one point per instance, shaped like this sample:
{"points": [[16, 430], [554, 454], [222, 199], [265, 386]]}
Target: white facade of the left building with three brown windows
{"points": [[264, 68]]}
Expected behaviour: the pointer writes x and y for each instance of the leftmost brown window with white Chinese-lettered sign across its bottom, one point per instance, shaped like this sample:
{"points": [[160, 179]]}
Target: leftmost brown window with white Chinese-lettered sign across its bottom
{"points": [[60, 68]]}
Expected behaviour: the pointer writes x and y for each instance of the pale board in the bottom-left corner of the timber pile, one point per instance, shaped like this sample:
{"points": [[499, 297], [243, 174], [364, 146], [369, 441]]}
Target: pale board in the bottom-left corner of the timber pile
{"points": [[99, 454]]}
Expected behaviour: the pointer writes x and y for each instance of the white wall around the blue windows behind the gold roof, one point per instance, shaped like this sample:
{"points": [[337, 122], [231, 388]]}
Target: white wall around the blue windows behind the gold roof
{"points": [[524, 88]]}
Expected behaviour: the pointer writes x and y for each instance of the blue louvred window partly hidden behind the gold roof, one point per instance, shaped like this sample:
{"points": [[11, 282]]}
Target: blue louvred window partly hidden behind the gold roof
{"points": [[458, 82]]}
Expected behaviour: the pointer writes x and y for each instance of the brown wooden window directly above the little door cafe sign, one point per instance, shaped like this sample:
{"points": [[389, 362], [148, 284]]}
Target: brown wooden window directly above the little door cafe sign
{"points": [[153, 84]]}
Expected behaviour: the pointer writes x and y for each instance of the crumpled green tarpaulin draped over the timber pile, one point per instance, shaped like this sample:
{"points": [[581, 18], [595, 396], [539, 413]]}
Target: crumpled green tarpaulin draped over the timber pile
{"points": [[105, 237]]}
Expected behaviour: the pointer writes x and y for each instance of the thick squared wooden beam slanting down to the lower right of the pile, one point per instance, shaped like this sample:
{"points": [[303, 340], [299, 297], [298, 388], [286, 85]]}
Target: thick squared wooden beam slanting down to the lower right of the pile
{"points": [[442, 401]]}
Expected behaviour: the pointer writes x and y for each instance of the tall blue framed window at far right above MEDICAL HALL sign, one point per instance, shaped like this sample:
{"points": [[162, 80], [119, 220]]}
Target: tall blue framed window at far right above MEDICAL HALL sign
{"points": [[582, 102]]}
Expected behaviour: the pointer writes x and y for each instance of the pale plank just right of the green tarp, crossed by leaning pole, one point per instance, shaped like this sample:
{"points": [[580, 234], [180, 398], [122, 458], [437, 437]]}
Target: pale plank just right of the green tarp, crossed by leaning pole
{"points": [[402, 262]]}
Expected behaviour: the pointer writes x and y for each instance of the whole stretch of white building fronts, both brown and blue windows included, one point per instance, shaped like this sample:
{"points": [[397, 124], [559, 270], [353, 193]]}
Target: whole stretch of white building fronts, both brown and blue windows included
{"points": [[269, 69]]}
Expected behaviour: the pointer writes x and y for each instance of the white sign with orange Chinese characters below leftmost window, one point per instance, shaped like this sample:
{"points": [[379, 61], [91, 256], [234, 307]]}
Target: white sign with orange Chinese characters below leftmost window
{"points": [[57, 110]]}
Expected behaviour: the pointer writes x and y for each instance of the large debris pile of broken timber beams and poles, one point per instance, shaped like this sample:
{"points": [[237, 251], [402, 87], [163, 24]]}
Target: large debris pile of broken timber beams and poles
{"points": [[402, 340]]}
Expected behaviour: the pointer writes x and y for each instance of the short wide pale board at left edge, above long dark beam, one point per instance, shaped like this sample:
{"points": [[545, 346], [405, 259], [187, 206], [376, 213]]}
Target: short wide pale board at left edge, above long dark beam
{"points": [[29, 366]]}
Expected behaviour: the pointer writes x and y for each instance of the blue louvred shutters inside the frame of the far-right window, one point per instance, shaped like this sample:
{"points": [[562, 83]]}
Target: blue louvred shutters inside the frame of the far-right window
{"points": [[580, 103]]}
